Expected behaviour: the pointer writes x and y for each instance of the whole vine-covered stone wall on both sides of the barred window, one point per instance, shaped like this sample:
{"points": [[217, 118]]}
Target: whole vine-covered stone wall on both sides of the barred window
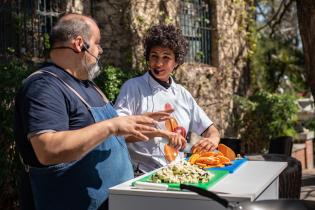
{"points": [[123, 24]]}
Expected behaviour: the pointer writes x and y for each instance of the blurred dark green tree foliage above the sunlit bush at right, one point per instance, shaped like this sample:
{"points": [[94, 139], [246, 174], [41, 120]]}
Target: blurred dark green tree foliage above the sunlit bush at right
{"points": [[277, 64]]}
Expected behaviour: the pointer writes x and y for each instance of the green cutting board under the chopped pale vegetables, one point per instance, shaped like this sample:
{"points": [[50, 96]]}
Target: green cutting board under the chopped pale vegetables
{"points": [[218, 175]]}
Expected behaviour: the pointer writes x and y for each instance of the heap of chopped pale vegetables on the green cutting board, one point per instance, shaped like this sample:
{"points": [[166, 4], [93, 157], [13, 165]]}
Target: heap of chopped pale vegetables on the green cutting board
{"points": [[181, 172]]}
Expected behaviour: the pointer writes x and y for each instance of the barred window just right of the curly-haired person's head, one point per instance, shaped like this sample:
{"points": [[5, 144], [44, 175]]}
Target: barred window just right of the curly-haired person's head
{"points": [[195, 24]]}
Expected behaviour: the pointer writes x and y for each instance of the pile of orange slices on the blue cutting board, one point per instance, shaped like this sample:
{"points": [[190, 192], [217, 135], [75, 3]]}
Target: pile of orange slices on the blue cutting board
{"points": [[220, 158]]}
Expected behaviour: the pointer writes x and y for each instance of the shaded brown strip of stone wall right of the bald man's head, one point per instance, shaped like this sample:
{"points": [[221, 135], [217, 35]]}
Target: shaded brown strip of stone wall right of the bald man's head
{"points": [[114, 20]]}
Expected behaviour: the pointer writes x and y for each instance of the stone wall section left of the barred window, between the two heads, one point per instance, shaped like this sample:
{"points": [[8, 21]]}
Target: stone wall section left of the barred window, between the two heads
{"points": [[123, 24]]}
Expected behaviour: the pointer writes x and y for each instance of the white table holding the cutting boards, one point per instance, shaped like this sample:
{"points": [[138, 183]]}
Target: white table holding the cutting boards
{"points": [[254, 180]]}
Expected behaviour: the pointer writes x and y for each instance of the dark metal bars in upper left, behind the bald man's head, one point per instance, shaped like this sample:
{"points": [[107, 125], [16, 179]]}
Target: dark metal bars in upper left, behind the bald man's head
{"points": [[25, 25]]}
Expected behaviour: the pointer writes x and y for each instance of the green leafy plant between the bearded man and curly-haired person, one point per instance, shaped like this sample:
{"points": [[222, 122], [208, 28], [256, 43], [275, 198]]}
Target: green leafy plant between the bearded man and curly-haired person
{"points": [[111, 80]]}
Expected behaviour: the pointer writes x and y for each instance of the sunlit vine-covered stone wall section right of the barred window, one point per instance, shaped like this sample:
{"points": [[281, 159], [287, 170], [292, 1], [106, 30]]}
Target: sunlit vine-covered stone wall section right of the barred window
{"points": [[214, 86]]}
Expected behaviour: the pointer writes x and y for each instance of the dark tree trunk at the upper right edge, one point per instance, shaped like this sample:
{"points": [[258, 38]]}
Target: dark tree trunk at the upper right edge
{"points": [[306, 18]]}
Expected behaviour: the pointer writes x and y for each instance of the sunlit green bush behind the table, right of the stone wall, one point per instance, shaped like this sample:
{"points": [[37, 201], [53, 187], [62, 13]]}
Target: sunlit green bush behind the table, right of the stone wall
{"points": [[265, 116]]}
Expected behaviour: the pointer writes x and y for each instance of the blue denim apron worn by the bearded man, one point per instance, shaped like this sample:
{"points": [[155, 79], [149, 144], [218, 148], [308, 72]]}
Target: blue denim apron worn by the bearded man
{"points": [[85, 183]]}
